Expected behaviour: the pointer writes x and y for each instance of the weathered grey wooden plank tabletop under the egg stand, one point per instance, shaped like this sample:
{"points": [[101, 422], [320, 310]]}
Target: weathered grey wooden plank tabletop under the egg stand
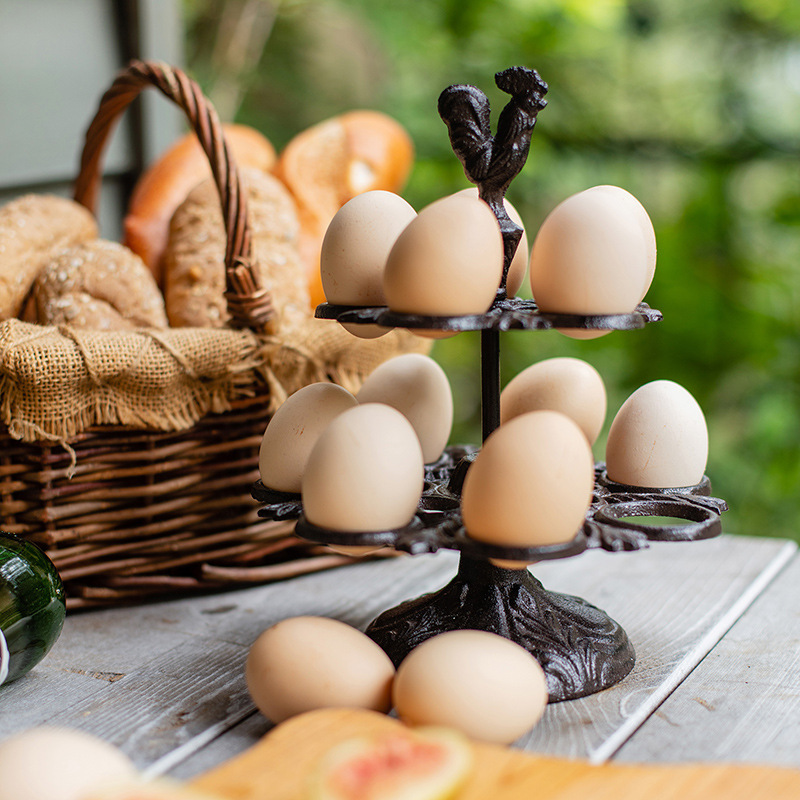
{"points": [[716, 627]]}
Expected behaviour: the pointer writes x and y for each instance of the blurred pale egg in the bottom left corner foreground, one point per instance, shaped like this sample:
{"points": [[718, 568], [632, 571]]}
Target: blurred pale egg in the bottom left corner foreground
{"points": [[52, 763]]}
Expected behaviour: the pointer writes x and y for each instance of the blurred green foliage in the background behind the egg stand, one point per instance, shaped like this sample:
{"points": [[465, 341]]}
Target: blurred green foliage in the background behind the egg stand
{"points": [[692, 105]]}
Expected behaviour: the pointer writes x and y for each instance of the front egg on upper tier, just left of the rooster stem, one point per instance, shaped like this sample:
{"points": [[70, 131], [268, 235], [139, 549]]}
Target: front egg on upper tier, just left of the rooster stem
{"points": [[448, 261]]}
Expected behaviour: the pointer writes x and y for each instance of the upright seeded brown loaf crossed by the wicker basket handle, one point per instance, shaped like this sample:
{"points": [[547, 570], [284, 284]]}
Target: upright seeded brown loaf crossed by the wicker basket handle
{"points": [[194, 265]]}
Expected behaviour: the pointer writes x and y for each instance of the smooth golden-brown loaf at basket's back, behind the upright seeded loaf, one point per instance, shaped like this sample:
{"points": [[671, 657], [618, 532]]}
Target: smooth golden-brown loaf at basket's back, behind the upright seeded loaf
{"points": [[165, 184]]}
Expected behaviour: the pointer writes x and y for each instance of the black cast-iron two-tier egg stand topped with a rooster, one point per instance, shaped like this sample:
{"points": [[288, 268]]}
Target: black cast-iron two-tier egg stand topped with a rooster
{"points": [[581, 649]]}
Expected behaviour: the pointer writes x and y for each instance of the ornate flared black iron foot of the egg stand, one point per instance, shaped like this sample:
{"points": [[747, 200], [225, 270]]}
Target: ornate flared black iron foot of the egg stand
{"points": [[581, 649]]}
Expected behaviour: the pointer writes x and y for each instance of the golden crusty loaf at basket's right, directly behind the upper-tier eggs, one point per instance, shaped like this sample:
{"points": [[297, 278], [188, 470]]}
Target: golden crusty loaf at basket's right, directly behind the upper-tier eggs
{"points": [[331, 162]]}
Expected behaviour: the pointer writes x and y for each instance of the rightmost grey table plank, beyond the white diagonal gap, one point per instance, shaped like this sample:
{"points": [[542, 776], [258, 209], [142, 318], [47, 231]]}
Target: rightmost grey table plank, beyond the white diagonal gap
{"points": [[742, 703]]}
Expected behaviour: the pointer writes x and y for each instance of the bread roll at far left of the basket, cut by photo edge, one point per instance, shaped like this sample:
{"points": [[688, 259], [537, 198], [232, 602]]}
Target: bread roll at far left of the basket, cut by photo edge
{"points": [[32, 228]]}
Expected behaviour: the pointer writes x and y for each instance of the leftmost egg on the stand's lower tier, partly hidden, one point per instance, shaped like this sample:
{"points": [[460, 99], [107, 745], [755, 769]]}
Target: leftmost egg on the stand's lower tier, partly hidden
{"points": [[293, 431]]}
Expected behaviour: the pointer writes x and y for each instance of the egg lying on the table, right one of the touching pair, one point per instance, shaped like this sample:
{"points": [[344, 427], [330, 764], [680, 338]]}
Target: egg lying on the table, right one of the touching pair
{"points": [[479, 683]]}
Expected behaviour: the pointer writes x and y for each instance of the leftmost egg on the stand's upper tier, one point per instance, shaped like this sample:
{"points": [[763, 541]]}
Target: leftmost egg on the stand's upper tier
{"points": [[355, 248]]}
